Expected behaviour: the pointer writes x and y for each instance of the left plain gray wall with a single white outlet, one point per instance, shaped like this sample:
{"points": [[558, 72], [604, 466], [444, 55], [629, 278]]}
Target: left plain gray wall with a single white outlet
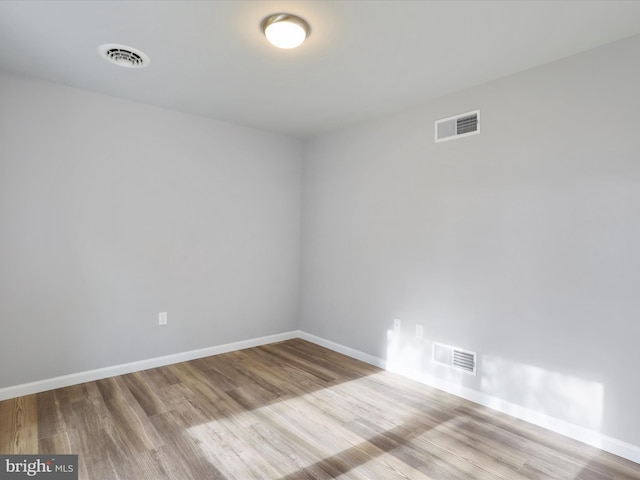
{"points": [[112, 211]]}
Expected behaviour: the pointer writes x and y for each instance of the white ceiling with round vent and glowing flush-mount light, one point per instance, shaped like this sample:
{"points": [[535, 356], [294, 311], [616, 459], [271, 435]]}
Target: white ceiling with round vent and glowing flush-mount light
{"points": [[362, 60]]}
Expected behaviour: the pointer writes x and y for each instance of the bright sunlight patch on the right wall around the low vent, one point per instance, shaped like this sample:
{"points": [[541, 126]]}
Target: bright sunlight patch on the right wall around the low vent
{"points": [[524, 391]]}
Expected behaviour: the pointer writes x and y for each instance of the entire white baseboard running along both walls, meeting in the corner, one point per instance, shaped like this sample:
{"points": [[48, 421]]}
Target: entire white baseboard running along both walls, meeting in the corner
{"points": [[584, 435]]}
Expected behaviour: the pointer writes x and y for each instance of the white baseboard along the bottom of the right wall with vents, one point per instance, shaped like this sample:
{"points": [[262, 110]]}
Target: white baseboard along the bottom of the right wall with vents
{"points": [[584, 435]]}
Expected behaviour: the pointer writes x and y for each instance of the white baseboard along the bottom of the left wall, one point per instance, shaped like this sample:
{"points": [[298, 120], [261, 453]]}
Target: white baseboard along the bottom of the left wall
{"points": [[100, 373]]}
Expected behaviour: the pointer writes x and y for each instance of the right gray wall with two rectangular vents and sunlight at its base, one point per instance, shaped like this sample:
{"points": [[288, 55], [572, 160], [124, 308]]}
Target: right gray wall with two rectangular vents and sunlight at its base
{"points": [[521, 243]]}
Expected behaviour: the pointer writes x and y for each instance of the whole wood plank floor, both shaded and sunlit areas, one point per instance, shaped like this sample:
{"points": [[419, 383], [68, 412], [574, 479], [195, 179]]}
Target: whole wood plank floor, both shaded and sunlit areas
{"points": [[288, 411]]}
